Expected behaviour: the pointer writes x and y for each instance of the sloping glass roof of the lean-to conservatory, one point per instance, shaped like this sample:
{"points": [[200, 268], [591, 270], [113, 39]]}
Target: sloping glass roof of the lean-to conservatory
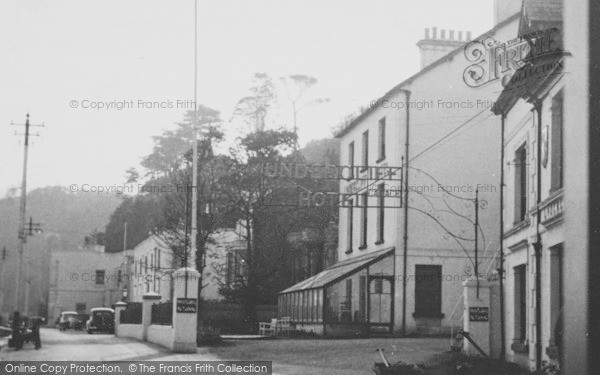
{"points": [[338, 270]]}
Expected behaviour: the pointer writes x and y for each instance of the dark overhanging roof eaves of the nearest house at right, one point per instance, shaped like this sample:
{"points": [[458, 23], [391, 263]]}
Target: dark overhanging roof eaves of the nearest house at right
{"points": [[529, 79]]}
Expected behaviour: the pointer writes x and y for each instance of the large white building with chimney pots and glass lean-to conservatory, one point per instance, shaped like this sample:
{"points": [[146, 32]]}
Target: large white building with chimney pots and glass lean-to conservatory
{"points": [[405, 252]]}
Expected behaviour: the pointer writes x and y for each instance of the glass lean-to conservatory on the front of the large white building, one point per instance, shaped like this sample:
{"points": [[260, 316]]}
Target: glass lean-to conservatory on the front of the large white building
{"points": [[352, 297]]}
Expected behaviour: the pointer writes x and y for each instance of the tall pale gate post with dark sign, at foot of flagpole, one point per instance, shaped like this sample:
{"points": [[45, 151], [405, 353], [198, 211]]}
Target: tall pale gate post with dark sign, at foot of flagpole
{"points": [[185, 310]]}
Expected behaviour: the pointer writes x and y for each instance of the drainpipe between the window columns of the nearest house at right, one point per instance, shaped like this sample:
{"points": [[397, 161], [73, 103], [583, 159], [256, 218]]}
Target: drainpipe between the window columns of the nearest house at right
{"points": [[538, 244]]}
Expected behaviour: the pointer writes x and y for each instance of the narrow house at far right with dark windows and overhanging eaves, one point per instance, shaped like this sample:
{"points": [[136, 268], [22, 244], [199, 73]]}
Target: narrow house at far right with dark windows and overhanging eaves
{"points": [[531, 111]]}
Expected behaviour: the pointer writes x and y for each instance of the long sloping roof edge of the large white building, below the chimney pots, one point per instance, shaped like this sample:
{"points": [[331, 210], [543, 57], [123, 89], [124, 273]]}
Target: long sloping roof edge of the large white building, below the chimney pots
{"points": [[401, 86]]}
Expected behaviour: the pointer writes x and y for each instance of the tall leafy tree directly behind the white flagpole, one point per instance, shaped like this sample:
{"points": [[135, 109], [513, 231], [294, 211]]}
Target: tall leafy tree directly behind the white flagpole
{"points": [[163, 207]]}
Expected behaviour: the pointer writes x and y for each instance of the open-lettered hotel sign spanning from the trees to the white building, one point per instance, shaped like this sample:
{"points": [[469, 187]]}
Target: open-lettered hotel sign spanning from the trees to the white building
{"points": [[379, 181]]}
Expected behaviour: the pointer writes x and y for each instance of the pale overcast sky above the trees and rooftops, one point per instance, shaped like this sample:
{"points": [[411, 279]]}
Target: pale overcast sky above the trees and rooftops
{"points": [[61, 58]]}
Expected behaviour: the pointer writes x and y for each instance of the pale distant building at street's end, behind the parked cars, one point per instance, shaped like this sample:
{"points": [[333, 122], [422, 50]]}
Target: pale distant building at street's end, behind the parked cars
{"points": [[83, 279]]}
